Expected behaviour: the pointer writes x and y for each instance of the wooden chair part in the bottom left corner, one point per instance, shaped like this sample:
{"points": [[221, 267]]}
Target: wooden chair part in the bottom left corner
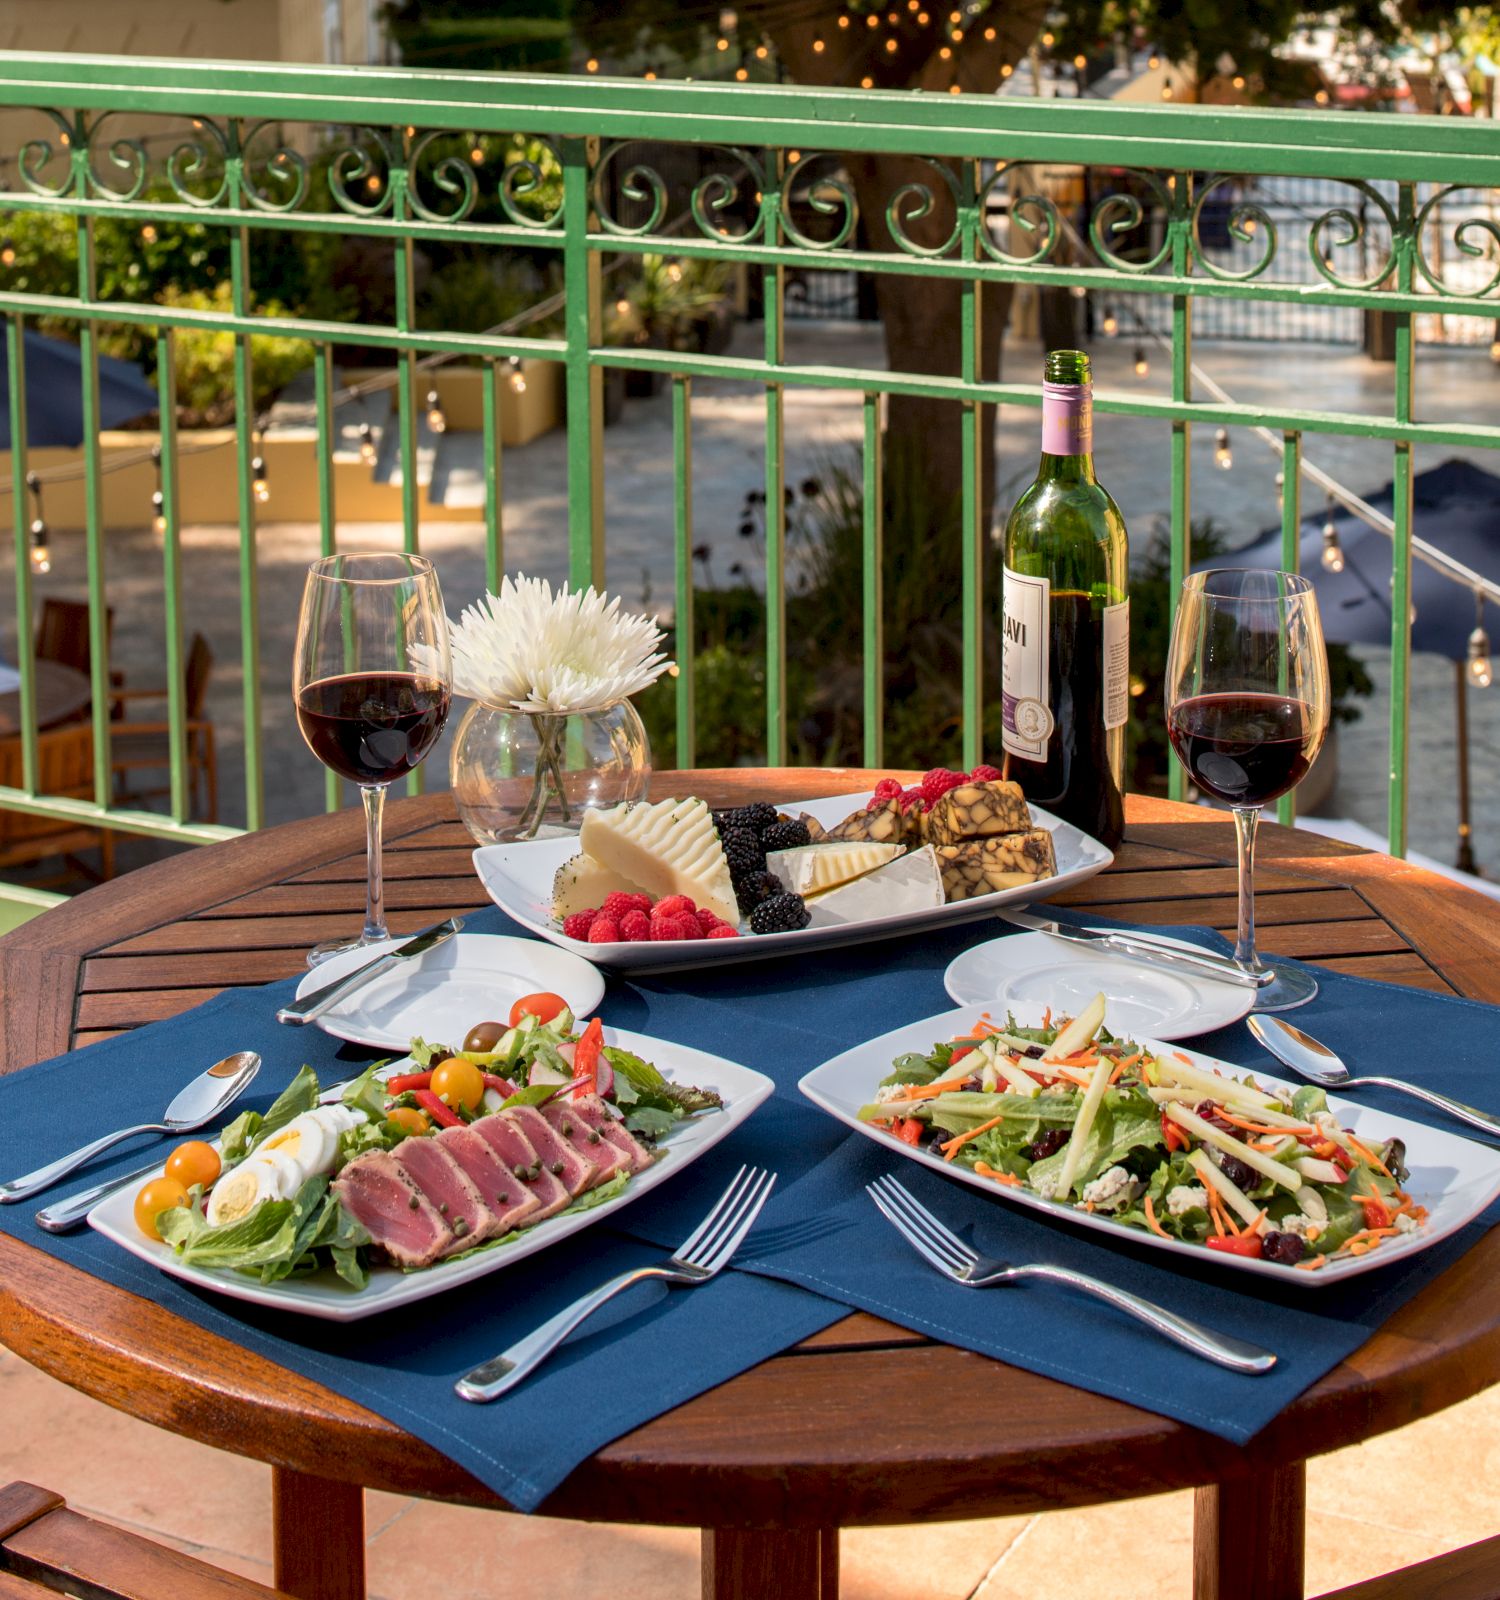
{"points": [[47, 1550]]}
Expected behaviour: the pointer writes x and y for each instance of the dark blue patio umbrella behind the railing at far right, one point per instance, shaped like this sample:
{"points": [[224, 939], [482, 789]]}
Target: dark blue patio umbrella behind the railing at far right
{"points": [[1454, 508]]}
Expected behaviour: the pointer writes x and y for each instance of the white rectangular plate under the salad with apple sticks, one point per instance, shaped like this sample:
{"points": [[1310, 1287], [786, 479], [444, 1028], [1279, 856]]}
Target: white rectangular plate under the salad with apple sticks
{"points": [[1453, 1177]]}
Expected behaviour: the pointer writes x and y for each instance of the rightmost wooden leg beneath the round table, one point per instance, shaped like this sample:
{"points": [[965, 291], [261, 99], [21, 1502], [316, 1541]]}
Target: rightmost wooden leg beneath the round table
{"points": [[1248, 1537]]}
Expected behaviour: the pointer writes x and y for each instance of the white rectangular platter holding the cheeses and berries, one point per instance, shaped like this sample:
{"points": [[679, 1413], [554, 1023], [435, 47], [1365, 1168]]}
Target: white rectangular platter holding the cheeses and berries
{"points": [[519, 879]]}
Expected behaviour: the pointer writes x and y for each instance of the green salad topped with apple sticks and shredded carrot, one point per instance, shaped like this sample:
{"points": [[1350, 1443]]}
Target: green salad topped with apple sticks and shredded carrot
{"points": [[1088, 1121]]}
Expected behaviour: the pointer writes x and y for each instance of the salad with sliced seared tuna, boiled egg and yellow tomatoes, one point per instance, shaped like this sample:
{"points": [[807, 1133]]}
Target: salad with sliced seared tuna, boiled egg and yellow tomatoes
{"points": [[458, 1154]]}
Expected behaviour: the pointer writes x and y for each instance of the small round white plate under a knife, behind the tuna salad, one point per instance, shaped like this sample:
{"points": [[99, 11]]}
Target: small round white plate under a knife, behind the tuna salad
{"points": [[466, 980]]}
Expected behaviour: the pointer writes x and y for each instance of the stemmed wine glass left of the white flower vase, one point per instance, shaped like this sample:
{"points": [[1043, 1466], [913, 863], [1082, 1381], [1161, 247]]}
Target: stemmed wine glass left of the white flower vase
{"points": [[372, 682]]}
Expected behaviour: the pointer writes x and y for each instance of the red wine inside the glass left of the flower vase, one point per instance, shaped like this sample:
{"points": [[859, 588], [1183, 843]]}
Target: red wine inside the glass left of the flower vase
{"points": [[372, 727]]}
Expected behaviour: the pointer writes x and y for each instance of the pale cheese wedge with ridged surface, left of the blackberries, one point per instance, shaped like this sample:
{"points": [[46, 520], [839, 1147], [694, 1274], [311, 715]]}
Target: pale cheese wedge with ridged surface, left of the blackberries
{"points": [[668, 849]]}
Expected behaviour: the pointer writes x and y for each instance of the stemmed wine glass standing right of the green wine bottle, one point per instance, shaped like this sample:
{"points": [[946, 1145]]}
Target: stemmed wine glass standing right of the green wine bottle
{"points": [[1248, 710]]}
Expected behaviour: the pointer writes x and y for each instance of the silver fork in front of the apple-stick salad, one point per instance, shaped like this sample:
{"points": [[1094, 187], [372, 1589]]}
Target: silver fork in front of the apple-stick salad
{"points": [[943, 1249]]}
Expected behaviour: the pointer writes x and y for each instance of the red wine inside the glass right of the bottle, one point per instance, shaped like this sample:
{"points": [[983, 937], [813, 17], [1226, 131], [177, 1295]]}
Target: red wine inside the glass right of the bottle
{"points": [[1245, 750]]}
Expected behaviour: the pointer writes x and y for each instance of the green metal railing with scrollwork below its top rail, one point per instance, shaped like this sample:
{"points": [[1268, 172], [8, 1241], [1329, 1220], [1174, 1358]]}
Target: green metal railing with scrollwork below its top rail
{"points": [[597, 198]]}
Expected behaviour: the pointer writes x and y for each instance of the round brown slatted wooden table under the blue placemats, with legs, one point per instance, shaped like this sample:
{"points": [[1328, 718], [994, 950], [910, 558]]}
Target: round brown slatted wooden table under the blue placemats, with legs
{"points": [[776, 1462]]}
